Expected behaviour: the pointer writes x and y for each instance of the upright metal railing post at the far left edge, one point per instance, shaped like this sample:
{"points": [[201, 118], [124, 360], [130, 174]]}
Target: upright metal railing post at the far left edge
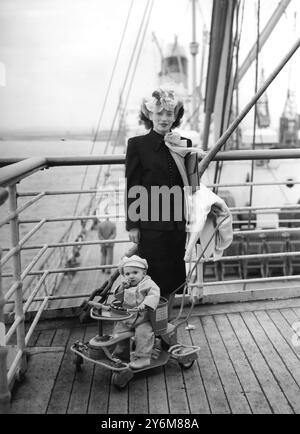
{"points": [[17, 271]]}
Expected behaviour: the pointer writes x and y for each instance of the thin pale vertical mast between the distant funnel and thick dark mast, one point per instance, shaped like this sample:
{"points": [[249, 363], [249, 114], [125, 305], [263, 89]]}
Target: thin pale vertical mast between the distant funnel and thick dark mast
{"points": [[194, 48]]}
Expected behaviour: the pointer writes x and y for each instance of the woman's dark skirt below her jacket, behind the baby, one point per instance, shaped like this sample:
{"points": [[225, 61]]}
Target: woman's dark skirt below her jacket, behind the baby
{"points": [[164, 252]]}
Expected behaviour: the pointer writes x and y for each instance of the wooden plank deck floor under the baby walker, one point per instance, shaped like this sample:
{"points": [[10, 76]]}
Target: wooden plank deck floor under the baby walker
{"points": [[247, 364]]}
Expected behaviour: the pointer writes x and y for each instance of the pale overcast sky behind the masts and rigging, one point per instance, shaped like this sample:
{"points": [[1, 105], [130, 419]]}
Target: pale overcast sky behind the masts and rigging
{"points": [[57, 57]]}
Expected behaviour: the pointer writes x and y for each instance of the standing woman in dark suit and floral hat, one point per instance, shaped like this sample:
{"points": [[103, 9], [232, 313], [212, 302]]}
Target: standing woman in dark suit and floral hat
{"points": [[154, 193]]}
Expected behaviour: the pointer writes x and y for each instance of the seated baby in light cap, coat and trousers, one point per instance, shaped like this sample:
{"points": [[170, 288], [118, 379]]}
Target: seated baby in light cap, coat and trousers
{"points": [[140, 292]]}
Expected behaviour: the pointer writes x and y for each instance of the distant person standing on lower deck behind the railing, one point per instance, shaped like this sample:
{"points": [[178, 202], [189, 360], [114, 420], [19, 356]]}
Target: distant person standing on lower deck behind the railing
{"points": [[107, 231]]}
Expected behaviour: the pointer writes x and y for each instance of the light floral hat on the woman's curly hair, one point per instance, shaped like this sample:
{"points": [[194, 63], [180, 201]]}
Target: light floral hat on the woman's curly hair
{"points": [[161, 99]]}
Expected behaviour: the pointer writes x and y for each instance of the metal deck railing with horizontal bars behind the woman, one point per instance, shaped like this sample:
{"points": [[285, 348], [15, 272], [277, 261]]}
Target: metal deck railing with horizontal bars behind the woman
{"points": [[37, 292]]}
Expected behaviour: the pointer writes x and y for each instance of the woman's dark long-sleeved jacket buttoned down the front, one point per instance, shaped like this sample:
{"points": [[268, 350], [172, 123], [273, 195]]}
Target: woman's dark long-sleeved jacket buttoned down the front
{"points": [[149, 164]]}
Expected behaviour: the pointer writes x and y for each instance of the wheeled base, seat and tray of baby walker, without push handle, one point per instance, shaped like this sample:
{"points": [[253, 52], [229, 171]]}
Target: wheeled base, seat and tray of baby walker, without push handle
{"points": [[99, 349]]}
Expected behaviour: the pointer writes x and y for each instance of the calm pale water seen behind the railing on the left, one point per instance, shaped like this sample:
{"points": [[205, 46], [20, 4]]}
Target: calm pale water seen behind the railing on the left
{"points": [[53, 179]]}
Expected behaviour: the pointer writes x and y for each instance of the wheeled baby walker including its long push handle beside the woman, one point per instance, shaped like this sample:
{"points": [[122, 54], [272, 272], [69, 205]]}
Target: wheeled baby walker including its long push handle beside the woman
{"points": [[99, 349]]}
